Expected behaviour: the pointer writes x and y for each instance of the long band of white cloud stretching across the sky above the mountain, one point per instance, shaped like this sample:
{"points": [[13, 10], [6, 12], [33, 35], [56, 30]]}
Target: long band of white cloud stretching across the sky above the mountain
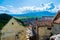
{"points": [[20, 10]]}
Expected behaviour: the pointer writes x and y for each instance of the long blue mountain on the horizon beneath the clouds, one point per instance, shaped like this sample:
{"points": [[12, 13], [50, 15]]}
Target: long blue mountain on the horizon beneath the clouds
{"points": [[35, 14]]}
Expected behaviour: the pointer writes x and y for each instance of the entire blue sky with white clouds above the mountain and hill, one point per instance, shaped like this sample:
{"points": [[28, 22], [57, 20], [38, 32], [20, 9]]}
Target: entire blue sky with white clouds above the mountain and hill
{"points": [[20, 6]]}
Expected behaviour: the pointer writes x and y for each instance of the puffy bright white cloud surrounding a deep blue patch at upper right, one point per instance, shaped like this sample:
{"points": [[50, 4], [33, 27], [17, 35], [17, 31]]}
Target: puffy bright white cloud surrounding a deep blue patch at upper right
{"points": [[51, 7]]}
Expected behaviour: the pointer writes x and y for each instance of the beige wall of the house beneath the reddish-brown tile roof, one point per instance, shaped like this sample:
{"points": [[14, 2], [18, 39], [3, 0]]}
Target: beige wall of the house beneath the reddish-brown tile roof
{"points": [[44, 32]]}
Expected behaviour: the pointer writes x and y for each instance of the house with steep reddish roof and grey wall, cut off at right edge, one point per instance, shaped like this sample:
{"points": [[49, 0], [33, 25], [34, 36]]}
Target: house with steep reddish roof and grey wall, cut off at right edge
{"points": [[56, 23]]}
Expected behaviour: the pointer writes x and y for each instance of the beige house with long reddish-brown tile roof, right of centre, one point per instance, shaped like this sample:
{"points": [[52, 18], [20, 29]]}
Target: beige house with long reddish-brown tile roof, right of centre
{"points": [[44, 27]]}
